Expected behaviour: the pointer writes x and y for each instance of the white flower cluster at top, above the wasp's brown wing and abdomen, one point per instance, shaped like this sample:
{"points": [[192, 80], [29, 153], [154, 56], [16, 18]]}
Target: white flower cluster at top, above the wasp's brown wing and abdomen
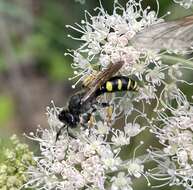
{"points": [[106, 39]]}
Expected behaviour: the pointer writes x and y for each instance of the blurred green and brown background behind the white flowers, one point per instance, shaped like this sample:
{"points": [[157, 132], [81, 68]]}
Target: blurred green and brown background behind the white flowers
{"points": [[33, 68]]}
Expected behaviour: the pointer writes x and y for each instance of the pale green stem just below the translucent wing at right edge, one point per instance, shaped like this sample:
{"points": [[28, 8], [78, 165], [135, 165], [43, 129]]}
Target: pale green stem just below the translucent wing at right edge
{"points": [[173, 60]]}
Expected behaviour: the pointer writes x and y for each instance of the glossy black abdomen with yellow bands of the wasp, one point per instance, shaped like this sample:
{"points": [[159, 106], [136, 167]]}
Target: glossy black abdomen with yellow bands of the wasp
{"points": [[117, 83]]}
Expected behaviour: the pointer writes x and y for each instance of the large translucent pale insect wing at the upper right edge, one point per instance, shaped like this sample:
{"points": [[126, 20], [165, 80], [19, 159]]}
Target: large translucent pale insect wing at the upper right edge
{"points": [[171, 35]]}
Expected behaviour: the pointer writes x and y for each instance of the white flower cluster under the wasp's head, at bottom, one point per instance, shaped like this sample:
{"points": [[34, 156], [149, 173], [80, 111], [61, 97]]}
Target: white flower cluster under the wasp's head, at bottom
{"points": [[91, 161]]}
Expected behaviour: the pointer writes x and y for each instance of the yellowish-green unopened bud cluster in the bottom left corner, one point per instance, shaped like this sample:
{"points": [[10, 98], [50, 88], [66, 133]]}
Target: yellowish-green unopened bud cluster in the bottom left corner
{"points": [[14, 163]]}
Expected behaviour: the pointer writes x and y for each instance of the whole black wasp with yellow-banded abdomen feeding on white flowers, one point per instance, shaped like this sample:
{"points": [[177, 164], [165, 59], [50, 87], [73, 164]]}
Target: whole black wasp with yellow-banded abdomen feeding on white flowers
{"points": [[83, 104]]}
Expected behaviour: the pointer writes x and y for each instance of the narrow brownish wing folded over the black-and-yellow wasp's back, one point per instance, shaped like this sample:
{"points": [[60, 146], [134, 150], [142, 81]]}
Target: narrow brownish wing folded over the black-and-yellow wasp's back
{"points": [[101, 78]]}
